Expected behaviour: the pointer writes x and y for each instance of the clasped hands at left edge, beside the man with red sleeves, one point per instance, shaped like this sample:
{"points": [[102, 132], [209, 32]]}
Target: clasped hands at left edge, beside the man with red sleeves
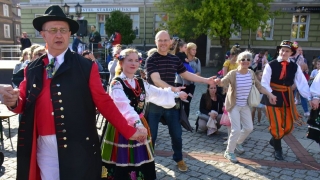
{"points": [[10, 95]]}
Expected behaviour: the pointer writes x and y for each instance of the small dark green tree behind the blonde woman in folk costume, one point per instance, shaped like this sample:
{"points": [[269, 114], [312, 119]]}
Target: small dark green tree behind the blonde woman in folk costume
{"points": [[119, 21]]}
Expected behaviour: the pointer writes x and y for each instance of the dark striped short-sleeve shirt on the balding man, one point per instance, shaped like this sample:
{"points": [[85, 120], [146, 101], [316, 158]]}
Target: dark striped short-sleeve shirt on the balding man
{"points": [[167, 66]]}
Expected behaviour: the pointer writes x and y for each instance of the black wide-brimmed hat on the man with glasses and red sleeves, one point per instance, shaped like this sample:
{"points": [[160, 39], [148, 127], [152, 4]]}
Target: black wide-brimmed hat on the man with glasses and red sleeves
{"points": [[55, 13]]}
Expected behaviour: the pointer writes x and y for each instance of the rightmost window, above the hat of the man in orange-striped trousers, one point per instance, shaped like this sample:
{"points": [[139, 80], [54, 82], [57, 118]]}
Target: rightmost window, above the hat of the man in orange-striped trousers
{"points": [[300, 26]]}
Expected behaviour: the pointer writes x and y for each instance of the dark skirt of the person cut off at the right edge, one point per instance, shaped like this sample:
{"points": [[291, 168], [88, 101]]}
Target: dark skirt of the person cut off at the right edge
{"points": [[314, 125]]}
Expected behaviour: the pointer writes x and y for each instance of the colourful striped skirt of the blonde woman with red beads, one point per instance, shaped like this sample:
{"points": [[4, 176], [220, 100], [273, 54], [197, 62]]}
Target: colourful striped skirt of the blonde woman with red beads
{"points": [[126, 159]]}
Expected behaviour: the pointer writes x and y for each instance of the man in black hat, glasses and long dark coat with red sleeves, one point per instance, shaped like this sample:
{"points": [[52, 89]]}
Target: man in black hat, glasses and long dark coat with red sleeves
{"points": [[58, 99]]}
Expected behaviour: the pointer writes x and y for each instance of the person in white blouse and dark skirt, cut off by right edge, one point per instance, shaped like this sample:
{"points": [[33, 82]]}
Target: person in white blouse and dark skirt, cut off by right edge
{"points": [[314, 119]]}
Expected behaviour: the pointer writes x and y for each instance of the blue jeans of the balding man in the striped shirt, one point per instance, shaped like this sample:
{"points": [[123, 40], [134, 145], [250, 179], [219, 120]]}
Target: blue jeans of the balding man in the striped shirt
{"points": [[172, 117]]}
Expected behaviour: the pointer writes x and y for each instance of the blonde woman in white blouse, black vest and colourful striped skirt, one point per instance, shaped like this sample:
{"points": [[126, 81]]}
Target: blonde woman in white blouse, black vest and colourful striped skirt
{"points": [[125, 159]]}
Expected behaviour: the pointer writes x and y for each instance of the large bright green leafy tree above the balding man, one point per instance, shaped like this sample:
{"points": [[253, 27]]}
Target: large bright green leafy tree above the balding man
{"points": [[219, 18]]}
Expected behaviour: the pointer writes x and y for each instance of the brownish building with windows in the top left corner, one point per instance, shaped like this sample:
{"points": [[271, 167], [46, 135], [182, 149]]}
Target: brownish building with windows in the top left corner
{"points": [[9, 22]]}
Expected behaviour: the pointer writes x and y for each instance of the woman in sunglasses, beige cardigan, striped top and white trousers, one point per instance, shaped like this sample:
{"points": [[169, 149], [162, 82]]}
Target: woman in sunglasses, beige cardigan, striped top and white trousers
{"points": [[240, 81]]}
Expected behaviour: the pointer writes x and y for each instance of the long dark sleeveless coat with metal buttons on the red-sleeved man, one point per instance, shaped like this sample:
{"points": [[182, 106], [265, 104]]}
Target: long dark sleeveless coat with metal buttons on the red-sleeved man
{"points": [[74, 118]]}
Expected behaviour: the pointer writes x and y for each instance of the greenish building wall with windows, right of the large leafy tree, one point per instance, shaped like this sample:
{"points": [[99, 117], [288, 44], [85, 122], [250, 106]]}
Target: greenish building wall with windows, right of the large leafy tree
{"points": [[299, 21]]}
